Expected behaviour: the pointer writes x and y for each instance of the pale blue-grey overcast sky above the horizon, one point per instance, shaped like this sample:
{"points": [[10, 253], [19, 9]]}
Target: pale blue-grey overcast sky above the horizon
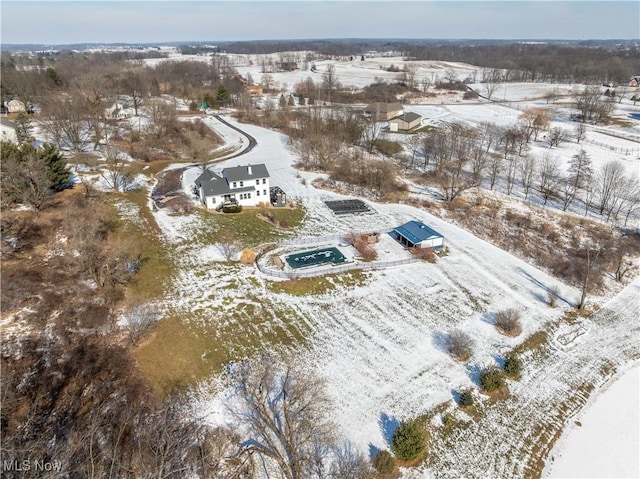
{"points": [[54, 22]]}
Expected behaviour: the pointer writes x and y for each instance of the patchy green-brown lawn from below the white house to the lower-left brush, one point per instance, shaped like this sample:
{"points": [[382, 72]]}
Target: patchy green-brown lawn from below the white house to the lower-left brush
{"points": [[223, 317]]}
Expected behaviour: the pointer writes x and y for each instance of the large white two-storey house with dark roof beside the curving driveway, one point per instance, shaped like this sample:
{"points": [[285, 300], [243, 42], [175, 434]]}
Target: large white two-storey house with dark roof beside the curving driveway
{"points": [[243, 185]]}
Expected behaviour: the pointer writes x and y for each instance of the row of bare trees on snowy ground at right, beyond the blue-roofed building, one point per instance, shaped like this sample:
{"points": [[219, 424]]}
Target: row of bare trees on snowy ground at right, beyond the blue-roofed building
{"points": [[459, 157]]}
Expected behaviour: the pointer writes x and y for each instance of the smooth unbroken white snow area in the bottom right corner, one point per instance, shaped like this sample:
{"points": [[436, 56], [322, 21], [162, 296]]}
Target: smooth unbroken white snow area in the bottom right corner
{"points": [[604, 439]]}
